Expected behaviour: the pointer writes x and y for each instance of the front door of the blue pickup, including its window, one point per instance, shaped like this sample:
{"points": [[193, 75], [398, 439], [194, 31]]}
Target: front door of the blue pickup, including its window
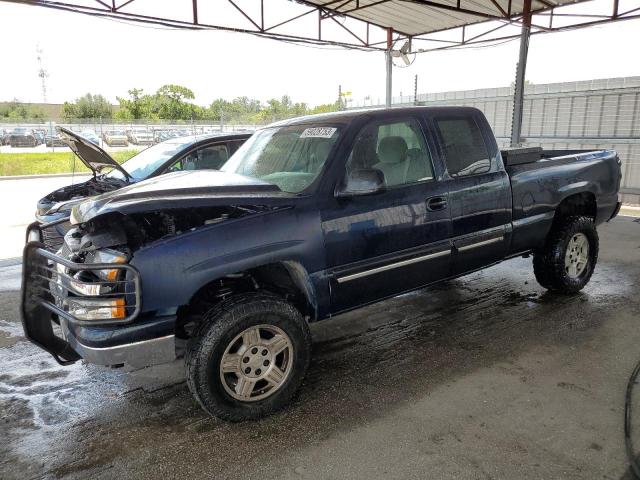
{"points": [[383, 244]]}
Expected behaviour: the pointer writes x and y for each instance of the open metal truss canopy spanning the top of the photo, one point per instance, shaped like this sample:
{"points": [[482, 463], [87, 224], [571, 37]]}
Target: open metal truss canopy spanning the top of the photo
{"points": [[360, 24]]}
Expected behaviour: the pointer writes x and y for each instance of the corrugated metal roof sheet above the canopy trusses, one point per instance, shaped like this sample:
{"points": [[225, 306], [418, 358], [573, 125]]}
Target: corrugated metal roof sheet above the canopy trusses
{"points": [[417, 17]]}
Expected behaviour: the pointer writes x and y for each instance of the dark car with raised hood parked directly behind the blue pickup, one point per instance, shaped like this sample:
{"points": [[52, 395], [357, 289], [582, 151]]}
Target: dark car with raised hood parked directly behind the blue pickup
{"points": [[186, 153]]}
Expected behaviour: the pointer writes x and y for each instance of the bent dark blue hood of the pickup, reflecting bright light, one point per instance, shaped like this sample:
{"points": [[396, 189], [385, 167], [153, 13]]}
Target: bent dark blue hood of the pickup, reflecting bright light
{"points": [[187, 189]]}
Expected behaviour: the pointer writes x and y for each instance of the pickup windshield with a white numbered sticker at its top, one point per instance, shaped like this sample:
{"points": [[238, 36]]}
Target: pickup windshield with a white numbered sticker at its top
{"points": [[290, 157]]}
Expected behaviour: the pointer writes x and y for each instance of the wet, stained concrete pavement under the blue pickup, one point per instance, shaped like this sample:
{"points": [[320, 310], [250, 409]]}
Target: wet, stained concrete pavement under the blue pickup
{"points": [[484, 377]]}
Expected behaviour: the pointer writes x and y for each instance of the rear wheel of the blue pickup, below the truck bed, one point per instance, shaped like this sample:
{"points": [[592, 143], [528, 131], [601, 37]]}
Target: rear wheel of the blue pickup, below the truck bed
{"points": [[564, 265]]}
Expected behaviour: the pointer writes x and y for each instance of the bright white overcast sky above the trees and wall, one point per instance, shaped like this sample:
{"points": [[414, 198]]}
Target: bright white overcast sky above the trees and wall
{"points": [[85, 54]]}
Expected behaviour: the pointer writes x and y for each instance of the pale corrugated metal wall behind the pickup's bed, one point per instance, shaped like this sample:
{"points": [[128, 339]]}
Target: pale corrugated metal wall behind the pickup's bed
{"points": [[590, 114]]}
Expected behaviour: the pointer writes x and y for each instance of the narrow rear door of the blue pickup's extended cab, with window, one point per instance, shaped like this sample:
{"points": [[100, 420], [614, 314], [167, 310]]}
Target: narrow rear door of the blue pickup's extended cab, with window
{"points": [[479, 192]]}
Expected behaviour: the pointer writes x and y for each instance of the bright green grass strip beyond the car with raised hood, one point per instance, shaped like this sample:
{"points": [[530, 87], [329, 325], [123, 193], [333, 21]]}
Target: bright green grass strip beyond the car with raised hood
{"points": [[49, 162]]}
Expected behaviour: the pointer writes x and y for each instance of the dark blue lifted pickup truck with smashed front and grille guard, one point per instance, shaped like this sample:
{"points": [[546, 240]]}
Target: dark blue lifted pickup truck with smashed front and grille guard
{"points": [[310, 218]]}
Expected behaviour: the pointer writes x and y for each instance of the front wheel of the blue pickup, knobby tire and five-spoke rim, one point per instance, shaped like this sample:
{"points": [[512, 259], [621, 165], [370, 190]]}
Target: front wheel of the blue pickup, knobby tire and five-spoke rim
{"points": [[224, 328]]}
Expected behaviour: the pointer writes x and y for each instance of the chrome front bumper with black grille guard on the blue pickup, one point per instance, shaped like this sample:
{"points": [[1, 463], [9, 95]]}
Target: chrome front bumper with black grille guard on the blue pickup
{"points": [[48, 324]]}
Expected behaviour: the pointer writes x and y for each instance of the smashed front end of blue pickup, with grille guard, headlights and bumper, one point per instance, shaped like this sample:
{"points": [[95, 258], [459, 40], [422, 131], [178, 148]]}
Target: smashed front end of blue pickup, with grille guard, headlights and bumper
{"points": [[85, 300]]}
